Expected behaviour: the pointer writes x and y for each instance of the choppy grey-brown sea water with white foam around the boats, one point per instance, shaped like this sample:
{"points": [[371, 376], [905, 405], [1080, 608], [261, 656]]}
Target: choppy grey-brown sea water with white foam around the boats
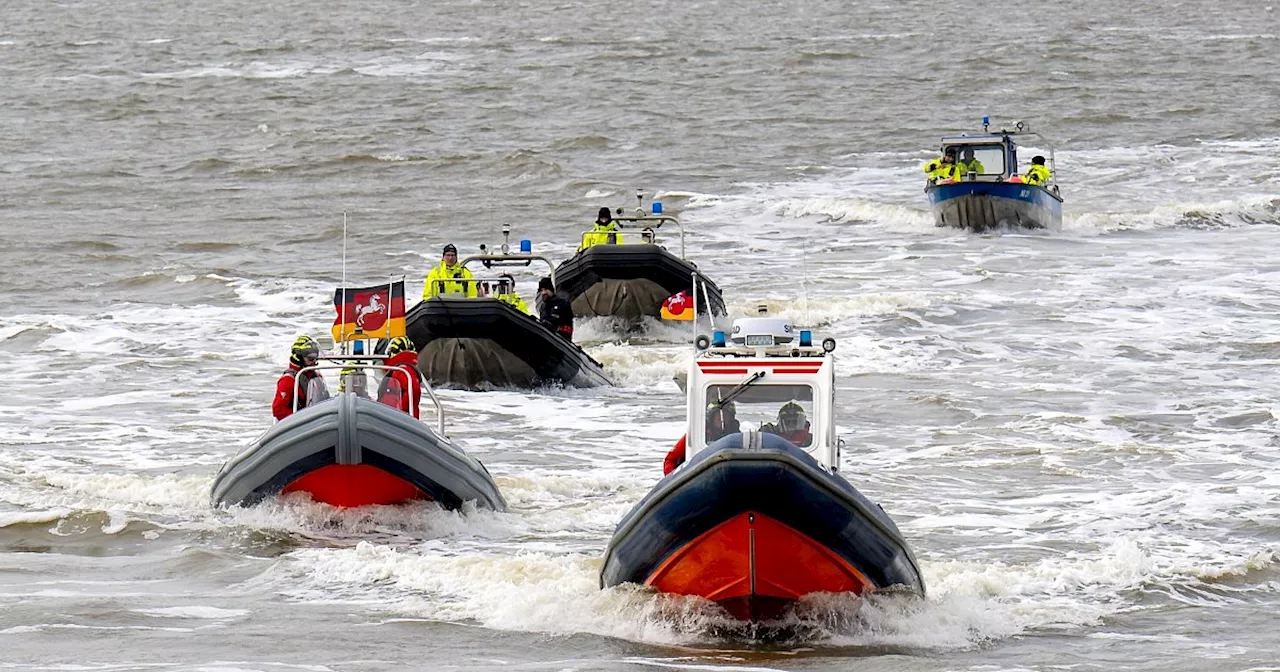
{"points": [[1076, 432]]}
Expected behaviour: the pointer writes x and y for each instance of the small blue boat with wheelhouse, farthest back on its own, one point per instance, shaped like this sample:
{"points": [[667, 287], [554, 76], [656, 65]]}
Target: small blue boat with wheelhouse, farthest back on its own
{"points": [[995, 198]]}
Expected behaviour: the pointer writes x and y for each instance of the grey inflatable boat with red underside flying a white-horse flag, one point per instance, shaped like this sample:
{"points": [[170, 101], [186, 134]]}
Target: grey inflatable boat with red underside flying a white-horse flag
{"points": [[348, 450]]}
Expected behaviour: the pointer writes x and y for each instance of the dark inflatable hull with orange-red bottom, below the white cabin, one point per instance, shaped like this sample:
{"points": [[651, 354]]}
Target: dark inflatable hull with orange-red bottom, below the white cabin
{"points": [[757, 527]]}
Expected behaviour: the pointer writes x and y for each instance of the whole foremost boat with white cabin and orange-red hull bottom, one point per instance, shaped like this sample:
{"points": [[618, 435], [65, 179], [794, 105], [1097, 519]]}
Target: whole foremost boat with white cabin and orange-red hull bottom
{"points": [[760, 516]]}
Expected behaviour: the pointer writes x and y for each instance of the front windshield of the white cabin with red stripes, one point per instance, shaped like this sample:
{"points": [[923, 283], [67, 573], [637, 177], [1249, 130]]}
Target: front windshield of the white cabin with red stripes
{"points": [[783, 410]]}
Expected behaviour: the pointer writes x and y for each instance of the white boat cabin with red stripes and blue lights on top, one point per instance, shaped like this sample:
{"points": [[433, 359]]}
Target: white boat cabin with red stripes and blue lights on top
{"points": [[766, 376]]}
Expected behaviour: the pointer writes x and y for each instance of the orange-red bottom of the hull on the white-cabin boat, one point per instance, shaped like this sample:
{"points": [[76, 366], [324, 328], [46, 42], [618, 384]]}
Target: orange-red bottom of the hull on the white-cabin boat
{"points": [[756, 568]]}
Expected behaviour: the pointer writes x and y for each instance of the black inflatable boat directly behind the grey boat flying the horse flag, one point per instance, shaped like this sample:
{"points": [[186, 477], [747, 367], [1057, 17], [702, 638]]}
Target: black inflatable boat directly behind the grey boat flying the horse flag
{"points": [[479, 342]]}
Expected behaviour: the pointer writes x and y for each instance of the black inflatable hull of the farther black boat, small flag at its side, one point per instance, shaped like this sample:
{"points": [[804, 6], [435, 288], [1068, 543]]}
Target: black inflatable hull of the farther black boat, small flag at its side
{"points": [[630, 282]]}
